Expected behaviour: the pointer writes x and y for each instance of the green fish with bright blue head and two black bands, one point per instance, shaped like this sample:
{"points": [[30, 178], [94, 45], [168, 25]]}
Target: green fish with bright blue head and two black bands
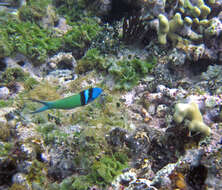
{"points": [[71, 102]]}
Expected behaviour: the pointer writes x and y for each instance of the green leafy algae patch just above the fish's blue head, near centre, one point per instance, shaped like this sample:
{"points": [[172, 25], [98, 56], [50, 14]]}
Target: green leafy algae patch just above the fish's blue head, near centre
{"points": [[126, 72]]}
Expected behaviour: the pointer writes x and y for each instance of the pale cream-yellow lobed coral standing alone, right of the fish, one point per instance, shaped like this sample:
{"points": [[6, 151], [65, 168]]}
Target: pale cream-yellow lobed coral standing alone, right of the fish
{"points": [[191, 112]]}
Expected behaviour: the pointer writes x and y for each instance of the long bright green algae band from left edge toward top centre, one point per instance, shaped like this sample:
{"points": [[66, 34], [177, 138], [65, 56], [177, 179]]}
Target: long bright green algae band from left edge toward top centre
{"points": [[37, 43]]}
